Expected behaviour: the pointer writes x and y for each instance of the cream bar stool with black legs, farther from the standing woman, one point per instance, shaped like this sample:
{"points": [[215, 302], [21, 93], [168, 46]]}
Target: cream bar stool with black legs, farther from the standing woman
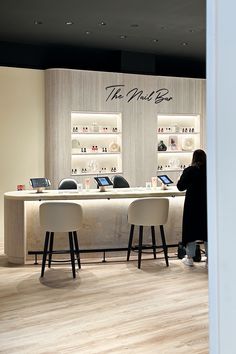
{"points": [[60, 217]]}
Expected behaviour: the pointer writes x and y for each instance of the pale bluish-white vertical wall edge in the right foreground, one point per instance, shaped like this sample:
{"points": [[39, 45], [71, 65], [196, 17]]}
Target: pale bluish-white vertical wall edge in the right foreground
{"points": [[221, 117]]}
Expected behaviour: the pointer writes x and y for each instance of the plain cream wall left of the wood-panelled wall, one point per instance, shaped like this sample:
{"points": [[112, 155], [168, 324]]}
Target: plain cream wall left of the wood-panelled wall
{"points": [[21, 129]]}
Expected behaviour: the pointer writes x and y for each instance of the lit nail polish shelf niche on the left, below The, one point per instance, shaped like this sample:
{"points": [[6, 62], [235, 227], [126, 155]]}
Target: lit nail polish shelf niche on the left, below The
{"points": [[97, 146]]}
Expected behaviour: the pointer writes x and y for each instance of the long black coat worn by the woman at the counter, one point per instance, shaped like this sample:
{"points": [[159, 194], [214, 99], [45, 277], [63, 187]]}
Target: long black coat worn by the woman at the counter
{"points": [[193, 180]]}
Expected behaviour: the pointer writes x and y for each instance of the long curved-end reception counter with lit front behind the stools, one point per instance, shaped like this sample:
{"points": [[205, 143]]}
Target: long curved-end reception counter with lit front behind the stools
{"points": [[105, 218]]}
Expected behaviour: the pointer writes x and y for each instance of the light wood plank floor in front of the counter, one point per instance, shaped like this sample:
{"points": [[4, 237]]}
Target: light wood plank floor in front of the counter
{"points": [[110, 308]]}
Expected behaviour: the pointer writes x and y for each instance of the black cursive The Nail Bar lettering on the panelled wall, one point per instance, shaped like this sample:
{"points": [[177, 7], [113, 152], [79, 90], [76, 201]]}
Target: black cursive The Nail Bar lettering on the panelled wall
{"points": [[118, 92]]}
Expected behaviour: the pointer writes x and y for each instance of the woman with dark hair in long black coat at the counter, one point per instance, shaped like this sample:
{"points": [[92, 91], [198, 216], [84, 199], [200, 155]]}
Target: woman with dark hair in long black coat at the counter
{"points": [[193, 180]]}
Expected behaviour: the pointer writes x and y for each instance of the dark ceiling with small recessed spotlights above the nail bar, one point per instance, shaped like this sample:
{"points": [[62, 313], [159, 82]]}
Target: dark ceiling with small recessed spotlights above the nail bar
{"points": [[114, 35]]}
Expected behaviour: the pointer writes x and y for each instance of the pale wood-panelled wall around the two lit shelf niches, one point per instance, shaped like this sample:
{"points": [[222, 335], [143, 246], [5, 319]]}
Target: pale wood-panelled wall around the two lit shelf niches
{"points": [[76, 90]]}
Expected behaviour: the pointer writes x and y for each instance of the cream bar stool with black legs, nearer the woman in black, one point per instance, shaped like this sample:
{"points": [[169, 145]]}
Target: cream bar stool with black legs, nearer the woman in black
{"points": [[148, 212]]}
